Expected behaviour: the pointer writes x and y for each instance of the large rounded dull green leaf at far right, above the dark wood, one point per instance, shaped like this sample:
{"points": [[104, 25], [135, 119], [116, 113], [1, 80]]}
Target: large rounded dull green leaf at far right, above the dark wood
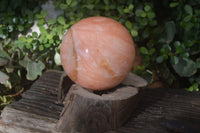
{"points": [[185, 67]]}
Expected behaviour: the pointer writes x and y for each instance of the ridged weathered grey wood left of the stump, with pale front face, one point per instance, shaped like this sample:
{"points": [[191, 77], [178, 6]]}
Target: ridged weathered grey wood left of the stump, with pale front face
{"points": [[37, 111]]}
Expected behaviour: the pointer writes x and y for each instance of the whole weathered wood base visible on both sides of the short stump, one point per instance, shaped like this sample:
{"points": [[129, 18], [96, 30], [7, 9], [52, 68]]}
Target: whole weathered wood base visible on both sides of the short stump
{"points": [[159, 110]]}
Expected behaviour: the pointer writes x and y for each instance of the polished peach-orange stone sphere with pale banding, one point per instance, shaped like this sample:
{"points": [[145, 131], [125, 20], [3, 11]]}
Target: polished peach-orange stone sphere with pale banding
{"points": [[97, 53]]}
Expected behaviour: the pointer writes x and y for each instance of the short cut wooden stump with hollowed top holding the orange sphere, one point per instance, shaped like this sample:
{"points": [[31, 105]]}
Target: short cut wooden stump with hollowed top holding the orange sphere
{"points": [[87, 112]]}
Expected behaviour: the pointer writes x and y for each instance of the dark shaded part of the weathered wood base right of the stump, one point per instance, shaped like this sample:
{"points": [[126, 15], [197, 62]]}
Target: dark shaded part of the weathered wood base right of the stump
{"points": [[165, 111]]}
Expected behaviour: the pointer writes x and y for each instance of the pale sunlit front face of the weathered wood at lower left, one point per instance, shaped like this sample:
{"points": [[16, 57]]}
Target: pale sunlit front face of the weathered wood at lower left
{"points": [[24, 122]]}
